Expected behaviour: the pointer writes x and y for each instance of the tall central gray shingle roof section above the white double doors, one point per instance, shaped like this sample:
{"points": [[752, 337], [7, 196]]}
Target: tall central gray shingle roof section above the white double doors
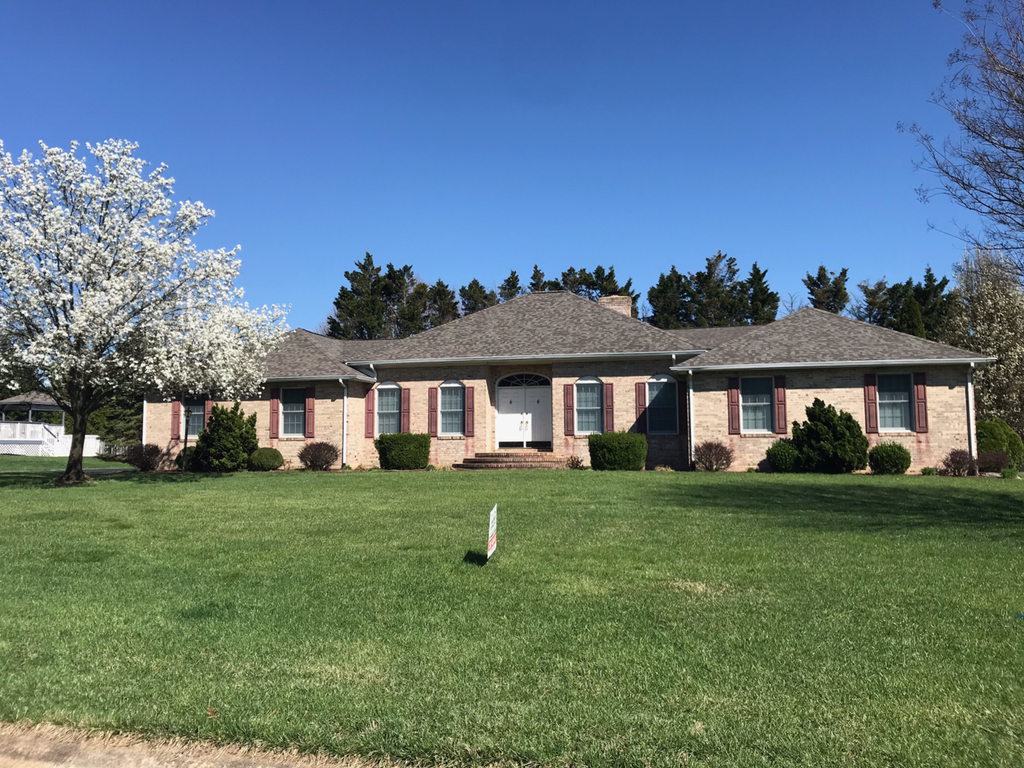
{"points": [[536, 325]]}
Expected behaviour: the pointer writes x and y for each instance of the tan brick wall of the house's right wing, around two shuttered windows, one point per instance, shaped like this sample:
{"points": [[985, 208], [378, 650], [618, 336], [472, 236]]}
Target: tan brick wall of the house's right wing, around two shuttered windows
{"points": [[844, 389]]}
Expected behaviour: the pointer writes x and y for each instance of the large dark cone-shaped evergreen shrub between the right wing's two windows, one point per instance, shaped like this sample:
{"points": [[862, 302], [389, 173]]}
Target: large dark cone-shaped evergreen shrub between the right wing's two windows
{"points": [[830, 442]]}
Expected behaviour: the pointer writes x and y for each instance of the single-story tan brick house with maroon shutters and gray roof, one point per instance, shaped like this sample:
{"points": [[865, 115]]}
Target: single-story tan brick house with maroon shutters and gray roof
{"points": [[544, 371]]}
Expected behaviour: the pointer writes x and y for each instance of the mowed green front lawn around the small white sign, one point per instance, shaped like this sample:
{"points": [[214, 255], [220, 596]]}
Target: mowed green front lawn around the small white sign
{"points": [[626, 620]]}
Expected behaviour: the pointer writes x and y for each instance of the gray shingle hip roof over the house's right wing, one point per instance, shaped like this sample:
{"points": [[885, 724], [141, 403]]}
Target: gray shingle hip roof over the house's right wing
{"points": [[813, 336]]}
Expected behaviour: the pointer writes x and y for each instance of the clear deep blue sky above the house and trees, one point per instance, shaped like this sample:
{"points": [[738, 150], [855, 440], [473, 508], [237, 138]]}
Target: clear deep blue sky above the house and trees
{"points": [[473, 139]]}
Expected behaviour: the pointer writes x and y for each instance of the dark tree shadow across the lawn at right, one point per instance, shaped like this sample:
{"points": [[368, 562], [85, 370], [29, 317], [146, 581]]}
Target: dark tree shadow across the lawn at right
{"points": [[868, 504]]}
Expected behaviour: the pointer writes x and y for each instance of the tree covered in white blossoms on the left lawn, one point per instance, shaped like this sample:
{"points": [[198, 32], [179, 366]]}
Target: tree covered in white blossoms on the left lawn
{"points": [[102, 288]]}
